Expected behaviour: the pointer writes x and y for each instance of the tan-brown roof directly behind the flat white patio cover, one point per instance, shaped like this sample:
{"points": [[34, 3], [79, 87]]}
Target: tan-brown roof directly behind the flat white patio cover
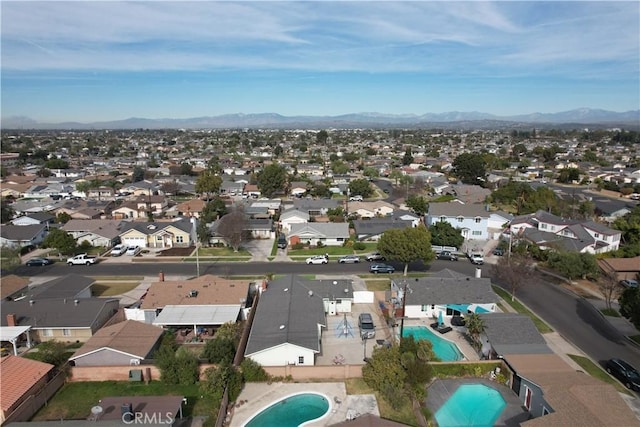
{"points": [[211, 289]]}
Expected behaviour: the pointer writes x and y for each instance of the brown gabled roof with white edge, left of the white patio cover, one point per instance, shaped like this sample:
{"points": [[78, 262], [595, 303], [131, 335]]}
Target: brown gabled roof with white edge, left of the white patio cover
{"points": [[131, 337]]}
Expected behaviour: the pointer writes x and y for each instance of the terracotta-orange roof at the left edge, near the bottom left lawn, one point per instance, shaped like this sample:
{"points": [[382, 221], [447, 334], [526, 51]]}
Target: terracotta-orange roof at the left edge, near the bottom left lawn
{"points": [[18, 375]]}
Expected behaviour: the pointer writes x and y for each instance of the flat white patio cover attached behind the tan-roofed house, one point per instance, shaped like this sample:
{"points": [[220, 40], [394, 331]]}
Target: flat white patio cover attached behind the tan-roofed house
{"points": [[197, 315]]}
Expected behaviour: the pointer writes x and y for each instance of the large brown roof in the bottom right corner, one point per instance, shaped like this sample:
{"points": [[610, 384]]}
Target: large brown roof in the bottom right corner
{"points": [[575, 397]]}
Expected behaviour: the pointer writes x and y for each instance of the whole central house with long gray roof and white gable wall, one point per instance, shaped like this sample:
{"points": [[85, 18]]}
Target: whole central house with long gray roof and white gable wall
{"points": [[287, 325]]}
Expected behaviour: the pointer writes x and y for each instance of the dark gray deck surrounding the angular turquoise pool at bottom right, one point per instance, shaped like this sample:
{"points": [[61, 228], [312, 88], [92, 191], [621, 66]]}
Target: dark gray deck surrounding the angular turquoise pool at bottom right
{"points": [[512, 415]]}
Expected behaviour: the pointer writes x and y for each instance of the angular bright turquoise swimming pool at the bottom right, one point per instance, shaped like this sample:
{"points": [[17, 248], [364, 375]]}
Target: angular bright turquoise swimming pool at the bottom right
{"points": [[471, 405]]}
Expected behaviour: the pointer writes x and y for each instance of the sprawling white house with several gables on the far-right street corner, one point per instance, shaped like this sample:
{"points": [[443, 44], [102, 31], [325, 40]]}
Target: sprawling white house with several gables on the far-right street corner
{"points": [[549, 231]]}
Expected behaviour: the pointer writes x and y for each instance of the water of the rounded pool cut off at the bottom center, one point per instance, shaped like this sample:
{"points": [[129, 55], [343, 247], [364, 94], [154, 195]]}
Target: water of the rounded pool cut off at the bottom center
{"points": [[292, 411]]}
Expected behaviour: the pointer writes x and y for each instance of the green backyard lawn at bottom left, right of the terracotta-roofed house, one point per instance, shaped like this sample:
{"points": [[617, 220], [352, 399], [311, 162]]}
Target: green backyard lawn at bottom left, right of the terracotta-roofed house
{"points": [[75, 400]]}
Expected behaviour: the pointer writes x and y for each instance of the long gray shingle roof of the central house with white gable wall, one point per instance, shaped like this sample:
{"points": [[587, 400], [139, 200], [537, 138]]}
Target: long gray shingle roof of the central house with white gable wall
{"points": [[291, 302]]}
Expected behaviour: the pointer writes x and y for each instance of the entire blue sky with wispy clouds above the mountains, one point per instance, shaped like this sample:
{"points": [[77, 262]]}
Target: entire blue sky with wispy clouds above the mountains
{"points": [[91, 61]]}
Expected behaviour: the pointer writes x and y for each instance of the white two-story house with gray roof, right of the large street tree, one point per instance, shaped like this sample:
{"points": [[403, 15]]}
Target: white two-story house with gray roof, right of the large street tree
{"points": [[471, 219]]}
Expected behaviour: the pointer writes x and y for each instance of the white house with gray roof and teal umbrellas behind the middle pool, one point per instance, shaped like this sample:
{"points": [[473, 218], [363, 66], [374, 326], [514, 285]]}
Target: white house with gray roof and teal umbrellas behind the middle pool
{"points": [[444, 294]]}
